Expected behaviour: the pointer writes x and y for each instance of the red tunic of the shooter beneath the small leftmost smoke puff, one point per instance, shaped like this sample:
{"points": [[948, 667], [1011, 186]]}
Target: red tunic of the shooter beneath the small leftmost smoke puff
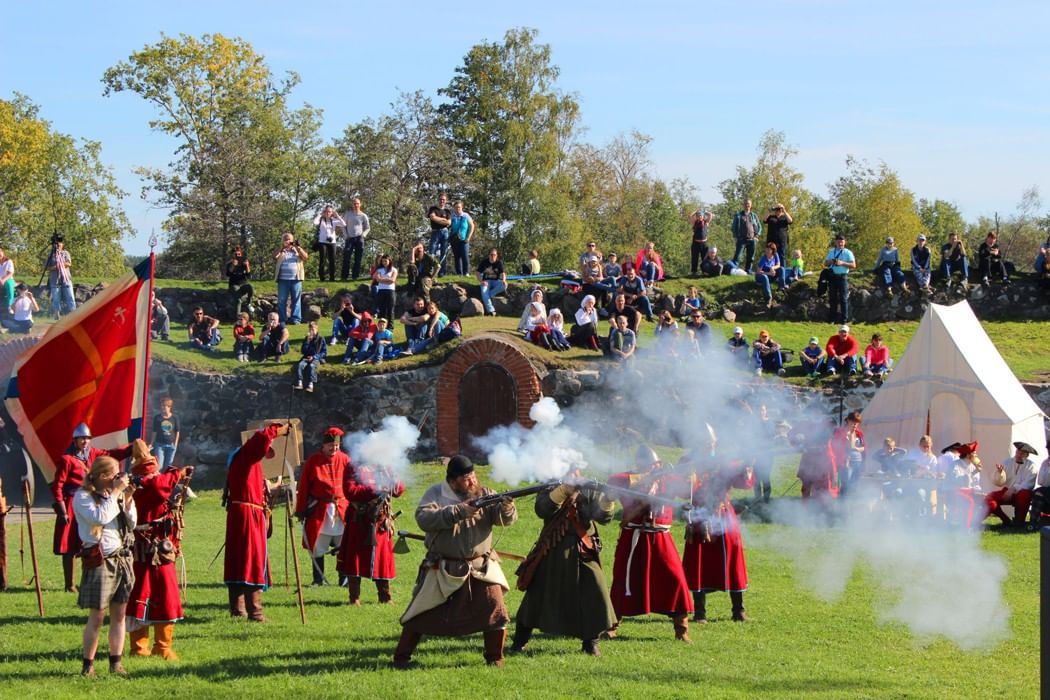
{"points": [[368, 548]]}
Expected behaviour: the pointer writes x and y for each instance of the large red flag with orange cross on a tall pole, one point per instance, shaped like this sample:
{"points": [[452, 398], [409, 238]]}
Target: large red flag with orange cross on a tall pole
{"points": [[91, 368]]}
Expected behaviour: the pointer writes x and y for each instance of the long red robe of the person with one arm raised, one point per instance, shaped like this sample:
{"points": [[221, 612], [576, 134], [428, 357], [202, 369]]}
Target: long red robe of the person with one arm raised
{"points": [[246, 517]]}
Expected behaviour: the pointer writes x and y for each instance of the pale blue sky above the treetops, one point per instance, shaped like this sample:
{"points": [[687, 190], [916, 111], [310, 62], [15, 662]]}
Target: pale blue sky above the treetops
{"points": [[952, 96]]}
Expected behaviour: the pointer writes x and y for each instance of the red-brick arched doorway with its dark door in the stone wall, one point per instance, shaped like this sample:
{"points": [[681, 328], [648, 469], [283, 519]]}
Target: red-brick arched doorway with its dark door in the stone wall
{"points": [[516, 397]]}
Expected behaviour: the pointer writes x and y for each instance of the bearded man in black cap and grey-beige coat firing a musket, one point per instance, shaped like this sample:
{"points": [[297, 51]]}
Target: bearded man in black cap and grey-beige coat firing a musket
{"points": [[460, 586]]}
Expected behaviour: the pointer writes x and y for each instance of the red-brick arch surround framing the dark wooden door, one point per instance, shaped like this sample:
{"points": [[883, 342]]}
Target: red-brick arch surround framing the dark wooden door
{"points": [[482, 350]]}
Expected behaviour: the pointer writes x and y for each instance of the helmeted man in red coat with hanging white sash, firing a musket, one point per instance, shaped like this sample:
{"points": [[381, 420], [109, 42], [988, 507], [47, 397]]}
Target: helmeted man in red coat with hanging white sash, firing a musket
{"points": [[647, 574]]}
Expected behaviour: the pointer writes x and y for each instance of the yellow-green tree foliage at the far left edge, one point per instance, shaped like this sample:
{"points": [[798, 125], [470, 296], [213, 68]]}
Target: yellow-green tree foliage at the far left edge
{"points": [[50, 183]]}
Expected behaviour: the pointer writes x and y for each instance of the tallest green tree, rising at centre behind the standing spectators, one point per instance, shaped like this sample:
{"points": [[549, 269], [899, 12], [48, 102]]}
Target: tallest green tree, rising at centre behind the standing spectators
{"points": [[511, 126]]}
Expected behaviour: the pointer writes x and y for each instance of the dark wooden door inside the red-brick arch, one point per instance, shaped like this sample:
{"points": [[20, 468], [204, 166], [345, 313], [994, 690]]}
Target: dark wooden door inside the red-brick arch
{"points": [[488, 399]]}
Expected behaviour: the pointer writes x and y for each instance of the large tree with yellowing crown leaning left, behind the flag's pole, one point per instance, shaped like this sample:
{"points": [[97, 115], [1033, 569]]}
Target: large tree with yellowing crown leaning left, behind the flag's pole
{"points": [[241, 173]]}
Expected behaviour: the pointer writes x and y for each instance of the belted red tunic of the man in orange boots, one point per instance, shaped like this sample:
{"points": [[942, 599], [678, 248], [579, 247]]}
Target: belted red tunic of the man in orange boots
{"points": [[155, 598]]}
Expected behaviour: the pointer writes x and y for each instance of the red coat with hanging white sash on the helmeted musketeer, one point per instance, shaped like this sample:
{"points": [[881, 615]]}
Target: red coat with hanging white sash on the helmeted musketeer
{"points": [[647, 575]]}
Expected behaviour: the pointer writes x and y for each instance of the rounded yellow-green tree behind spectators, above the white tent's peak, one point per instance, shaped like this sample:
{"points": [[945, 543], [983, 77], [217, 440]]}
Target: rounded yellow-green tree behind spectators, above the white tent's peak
{"points": [[870, 204]]}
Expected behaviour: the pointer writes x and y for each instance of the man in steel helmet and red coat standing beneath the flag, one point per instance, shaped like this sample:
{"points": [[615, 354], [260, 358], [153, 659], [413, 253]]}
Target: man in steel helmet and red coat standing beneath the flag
{"points": [[71, 471]]}
